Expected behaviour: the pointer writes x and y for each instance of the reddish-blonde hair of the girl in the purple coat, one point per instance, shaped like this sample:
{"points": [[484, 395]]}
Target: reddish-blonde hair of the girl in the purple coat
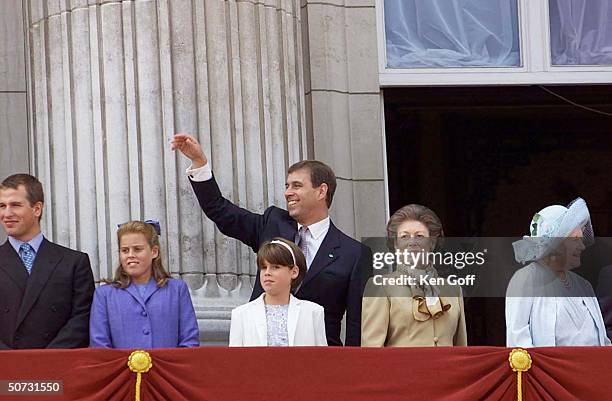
{"points": [[121, 278]]}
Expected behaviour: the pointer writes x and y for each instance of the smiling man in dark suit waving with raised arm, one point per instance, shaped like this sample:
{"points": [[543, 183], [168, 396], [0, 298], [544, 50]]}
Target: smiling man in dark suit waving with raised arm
{"points": [[334, 260]]}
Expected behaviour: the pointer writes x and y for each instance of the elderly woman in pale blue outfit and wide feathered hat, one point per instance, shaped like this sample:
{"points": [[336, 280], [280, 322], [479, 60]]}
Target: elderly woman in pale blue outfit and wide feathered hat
{"points": [[546, 303]]}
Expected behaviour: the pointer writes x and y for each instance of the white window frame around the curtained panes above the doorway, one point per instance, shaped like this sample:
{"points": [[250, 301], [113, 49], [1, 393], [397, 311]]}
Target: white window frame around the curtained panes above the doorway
{"points": [[536, 68]]}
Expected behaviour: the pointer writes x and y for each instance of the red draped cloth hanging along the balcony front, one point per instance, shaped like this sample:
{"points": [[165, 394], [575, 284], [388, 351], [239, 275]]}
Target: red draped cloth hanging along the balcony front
{"points": [[310, 373]]}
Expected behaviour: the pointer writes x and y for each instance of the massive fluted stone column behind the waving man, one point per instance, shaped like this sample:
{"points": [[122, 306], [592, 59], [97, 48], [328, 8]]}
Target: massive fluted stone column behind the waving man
{"points": [[111, 81]]}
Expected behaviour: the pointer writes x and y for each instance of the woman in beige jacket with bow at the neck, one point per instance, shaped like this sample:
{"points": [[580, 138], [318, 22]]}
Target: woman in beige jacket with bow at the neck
{"points": [[412, 315]]}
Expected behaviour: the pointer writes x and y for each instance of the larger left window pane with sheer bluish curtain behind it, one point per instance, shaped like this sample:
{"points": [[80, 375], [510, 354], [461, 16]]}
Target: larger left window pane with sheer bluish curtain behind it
{"points": [[442, 33]]}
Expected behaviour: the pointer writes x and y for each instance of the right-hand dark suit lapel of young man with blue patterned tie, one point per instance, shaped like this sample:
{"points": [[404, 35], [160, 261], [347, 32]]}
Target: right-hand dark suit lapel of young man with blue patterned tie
{"points": [[47, 260]]}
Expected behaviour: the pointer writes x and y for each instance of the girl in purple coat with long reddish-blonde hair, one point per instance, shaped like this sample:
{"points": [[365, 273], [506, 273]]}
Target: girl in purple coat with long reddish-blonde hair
{"points": [[142, 307]]}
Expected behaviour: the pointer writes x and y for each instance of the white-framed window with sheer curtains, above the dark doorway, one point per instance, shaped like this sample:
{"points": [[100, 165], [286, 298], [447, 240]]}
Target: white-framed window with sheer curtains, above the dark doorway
{"points": [[456, 42]]}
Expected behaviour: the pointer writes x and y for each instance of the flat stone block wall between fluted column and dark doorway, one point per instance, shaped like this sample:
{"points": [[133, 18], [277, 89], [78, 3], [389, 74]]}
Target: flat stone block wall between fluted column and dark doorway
{"points": [[344, 107]]}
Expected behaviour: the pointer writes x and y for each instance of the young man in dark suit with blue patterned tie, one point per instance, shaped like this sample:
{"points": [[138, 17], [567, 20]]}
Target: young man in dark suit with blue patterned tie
{"points": [[45, 289]]}
